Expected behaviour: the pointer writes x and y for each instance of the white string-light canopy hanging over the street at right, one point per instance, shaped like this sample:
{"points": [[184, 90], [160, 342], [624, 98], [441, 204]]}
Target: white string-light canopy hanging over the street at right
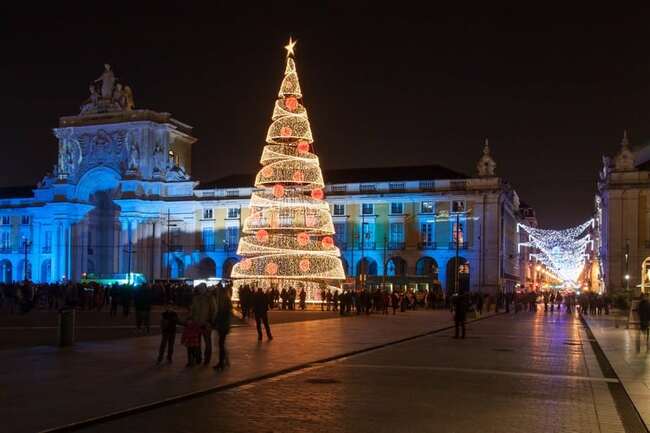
{"points": [[564, 252]]}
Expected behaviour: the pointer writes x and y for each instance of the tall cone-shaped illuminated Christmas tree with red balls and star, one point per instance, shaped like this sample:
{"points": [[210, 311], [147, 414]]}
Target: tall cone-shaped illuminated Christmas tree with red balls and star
{"points": [[288, 236]]}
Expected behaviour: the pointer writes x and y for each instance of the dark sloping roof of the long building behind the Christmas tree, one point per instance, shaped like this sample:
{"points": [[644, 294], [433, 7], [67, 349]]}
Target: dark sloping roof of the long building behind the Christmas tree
{"points": [[353, 175]]}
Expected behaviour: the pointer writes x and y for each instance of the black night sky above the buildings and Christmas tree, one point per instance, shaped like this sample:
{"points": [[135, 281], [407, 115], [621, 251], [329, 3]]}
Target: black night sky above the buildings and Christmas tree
{"points": [[552, 89]]}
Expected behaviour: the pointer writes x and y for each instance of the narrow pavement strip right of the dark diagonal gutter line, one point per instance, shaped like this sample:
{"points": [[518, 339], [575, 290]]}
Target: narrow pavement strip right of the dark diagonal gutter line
{"points": [[629, 355]]}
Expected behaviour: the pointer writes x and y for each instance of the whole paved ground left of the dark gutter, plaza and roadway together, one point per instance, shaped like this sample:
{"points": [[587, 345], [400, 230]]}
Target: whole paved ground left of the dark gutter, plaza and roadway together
{"points": [[530, 372]]}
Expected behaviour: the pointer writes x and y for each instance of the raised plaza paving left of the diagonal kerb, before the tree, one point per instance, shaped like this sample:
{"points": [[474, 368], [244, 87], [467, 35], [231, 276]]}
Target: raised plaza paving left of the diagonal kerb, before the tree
{"points": [[45, 387]]}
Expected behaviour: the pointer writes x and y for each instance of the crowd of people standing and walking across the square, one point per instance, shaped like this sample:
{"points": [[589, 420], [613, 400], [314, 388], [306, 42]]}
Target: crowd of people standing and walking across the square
{"points": [[200, 310]]}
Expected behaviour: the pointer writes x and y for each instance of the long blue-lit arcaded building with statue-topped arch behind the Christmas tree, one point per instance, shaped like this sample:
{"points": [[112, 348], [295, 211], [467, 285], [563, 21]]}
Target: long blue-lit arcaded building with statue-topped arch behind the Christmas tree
{"points": [[121, 199]]}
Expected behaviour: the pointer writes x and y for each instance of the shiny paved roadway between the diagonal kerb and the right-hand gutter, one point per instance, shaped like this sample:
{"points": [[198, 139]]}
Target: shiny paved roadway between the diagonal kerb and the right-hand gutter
{"points": [[528, 372]]}
